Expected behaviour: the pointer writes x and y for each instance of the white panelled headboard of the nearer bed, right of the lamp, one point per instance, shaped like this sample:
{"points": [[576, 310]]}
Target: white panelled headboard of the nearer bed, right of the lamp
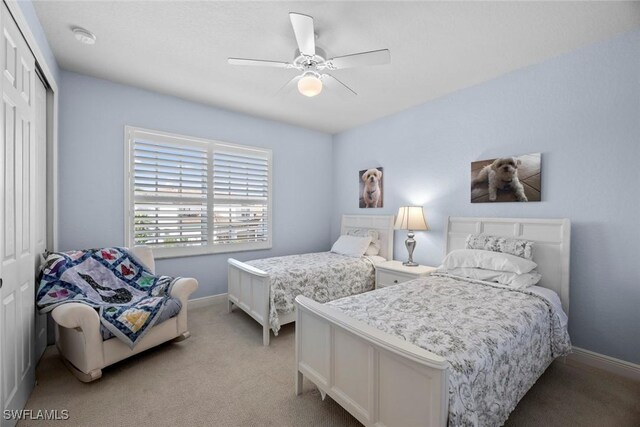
{"points": [[551, 250]]}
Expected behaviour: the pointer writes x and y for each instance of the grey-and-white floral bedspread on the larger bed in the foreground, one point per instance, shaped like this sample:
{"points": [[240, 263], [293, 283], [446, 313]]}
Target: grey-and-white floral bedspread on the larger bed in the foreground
{"points": [[497, 341]]}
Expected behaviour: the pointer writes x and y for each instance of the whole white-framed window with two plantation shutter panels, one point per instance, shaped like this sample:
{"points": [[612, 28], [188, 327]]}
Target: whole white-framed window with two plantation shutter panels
{"points": [[189, 196]]}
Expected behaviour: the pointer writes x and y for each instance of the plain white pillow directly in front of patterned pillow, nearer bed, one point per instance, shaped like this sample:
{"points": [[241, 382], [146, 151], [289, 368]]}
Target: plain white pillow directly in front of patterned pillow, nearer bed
{"points": [[476, 258]]}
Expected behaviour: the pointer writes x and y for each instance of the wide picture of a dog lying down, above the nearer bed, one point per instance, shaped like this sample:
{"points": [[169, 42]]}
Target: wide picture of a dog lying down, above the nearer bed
{"points": [[506, 179]]}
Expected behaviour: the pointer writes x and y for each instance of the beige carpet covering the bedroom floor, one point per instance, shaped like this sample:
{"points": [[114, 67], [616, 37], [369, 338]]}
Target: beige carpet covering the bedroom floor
{"points": [[223, 376]]}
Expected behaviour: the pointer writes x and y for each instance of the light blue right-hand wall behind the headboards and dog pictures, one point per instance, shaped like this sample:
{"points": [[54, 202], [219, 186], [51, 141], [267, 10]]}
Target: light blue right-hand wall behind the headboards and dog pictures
{"points": [[582, 111]]}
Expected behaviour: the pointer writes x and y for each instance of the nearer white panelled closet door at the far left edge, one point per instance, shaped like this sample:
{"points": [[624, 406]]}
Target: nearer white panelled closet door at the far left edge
{"points": [[17, 216]]}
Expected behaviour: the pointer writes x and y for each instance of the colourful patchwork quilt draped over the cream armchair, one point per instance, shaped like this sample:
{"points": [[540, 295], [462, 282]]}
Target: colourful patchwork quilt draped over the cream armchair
{"points": [[128, 297]]}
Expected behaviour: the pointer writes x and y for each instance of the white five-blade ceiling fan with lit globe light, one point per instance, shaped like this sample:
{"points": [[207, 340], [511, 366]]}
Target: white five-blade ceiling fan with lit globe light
{"points": [[312, 61]]}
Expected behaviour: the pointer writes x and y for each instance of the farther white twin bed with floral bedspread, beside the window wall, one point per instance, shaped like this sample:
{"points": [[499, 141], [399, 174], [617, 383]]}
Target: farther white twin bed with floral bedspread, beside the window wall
{"points": [[266, 289]]}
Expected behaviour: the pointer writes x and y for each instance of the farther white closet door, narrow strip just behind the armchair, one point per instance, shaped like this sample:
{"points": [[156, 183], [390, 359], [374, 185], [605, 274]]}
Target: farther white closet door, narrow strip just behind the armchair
{"points": [[40, 231]]}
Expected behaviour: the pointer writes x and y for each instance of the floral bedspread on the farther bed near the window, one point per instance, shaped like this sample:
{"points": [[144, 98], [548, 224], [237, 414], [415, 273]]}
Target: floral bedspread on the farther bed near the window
{"points": [[322, 276]]}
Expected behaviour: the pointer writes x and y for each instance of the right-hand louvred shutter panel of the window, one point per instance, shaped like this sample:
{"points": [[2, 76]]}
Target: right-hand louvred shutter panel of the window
{"points": [[240, 196]]}
